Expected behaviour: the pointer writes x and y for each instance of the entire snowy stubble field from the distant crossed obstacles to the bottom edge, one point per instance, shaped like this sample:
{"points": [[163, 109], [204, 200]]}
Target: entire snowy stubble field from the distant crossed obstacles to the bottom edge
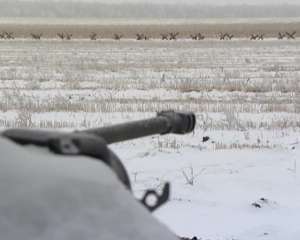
{"points": [[241, 184]]}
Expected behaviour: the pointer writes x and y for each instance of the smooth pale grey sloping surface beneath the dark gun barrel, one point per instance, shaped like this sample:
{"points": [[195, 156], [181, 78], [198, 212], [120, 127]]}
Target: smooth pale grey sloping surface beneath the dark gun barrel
{"points": [[43, 196]]}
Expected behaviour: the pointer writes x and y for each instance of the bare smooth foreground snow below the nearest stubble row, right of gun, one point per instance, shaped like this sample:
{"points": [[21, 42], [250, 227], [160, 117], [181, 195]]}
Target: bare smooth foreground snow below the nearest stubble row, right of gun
{"points": [[214, 192]]}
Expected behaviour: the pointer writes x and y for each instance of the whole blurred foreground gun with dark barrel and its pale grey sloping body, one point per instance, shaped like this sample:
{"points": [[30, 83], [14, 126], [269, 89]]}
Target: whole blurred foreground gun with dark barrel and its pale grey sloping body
{"points": [[58, 185]]}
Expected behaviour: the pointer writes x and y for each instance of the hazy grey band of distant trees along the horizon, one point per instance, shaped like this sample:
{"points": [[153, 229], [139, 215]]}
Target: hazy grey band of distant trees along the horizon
{"points": [[65, 9]]}
